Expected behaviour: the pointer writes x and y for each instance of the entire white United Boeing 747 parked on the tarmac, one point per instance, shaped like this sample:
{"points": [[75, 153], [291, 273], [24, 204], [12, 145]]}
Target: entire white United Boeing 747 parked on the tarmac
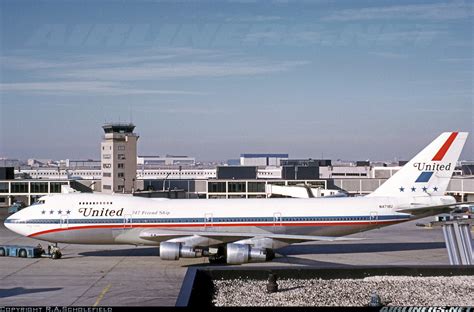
{"points": [[237, 231]]}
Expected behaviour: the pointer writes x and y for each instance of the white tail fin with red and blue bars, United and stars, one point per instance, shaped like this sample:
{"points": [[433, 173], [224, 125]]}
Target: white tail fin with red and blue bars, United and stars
{"points": [[429, 172]]}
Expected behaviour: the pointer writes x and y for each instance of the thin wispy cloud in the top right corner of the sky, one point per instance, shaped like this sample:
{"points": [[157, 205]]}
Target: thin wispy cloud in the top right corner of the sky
{"points": [[436, 11]]}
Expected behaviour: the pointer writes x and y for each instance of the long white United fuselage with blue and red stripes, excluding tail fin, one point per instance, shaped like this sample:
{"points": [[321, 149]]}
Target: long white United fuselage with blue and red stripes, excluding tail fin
{"points": [[119, 219]]}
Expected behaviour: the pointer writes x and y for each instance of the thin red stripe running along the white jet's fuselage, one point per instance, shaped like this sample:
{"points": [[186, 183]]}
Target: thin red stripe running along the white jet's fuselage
{"points": [[125, 227]]}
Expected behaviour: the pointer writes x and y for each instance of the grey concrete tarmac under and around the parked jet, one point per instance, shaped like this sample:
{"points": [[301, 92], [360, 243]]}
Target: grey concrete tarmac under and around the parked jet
{"points": [[120, 275]]}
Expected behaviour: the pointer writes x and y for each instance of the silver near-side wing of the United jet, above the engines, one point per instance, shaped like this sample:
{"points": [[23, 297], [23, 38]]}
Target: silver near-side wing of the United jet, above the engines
{"points": [[210, 238]]}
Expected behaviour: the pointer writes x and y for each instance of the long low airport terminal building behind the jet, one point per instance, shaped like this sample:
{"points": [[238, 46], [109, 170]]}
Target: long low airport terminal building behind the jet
{"points": [[220, 182]]}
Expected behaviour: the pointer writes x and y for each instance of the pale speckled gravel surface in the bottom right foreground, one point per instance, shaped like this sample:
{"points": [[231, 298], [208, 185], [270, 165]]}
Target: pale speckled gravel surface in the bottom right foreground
{"points": [[393, 291]]}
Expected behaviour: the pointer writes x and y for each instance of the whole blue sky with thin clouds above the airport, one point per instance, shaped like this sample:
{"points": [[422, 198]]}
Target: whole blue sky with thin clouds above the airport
{"points": [[353, 80]]}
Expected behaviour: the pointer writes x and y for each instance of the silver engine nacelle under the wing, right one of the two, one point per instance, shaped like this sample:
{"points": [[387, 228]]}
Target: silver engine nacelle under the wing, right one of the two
{"points": [[243, 253]]}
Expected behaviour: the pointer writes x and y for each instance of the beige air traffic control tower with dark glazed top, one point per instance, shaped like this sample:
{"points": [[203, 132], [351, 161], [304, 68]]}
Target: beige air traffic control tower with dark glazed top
{"points": [[119, 158]]}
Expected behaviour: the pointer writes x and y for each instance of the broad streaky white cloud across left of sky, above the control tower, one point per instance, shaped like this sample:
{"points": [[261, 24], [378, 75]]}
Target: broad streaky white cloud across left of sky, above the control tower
{"points": [[121, 74]]}
